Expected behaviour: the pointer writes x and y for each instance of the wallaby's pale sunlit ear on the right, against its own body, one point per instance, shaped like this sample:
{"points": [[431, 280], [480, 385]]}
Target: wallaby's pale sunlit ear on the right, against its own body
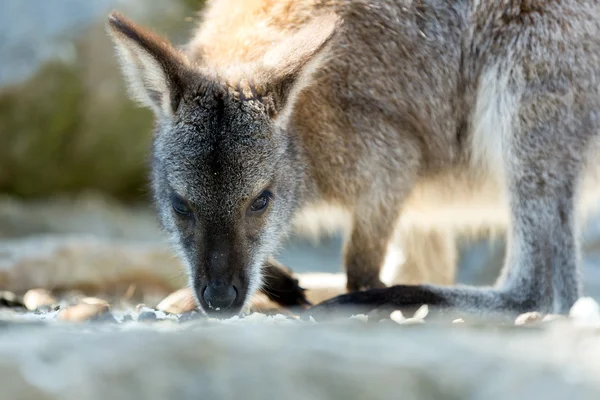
{"points": [[289, 65]]}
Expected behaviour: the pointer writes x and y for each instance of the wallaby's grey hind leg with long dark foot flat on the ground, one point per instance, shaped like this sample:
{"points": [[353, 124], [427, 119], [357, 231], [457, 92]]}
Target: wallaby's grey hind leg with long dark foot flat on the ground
{"points": [[543, 159]]}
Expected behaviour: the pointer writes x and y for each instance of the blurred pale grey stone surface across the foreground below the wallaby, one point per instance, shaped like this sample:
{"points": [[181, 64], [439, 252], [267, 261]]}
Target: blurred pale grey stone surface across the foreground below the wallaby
{"points": [[135, 355]]}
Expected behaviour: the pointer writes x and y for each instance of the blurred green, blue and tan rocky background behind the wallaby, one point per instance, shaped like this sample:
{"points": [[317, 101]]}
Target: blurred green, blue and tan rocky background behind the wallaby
{"points": [[73, 156]]}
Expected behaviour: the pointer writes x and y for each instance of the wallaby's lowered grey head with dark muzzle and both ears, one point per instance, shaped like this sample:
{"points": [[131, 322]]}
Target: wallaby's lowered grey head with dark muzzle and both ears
{"points": [[226, 174]]}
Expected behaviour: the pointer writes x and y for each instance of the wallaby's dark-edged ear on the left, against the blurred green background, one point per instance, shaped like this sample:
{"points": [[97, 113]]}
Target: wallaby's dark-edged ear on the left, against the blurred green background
{"points": [[154, 70]]}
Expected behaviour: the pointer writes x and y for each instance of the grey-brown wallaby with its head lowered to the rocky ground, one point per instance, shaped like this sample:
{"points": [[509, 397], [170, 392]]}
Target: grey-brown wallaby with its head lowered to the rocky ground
{"points": [[426, 117]]}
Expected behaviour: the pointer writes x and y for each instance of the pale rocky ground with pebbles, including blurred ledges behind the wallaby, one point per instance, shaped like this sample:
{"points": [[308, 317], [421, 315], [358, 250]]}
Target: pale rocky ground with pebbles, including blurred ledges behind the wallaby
{"points": [[91, 308]]}
